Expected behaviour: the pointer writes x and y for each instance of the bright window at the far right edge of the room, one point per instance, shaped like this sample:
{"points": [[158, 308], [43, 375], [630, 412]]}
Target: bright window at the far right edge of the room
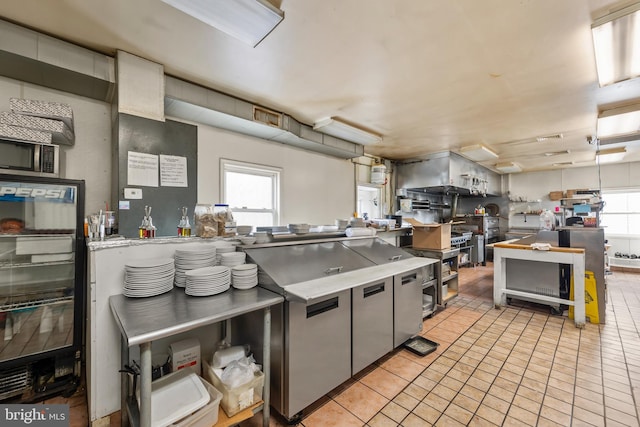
{"points": [[621, 212]]}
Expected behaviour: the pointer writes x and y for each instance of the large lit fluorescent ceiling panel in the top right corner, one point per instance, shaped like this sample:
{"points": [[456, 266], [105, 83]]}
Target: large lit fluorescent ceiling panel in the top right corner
{"points": [[616, 40]]}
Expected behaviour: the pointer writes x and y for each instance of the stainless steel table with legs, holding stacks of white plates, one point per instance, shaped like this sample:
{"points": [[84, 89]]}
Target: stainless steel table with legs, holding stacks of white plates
{"points": [[144, 320]]}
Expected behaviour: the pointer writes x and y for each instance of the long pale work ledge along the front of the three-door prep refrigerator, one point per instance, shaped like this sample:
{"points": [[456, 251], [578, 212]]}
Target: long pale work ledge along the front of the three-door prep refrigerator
{"points": [[314, 289]]}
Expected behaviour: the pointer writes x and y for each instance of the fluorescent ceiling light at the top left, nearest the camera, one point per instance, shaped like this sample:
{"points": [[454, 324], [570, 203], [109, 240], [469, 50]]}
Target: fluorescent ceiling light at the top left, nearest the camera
{"points": [[247, 20]]}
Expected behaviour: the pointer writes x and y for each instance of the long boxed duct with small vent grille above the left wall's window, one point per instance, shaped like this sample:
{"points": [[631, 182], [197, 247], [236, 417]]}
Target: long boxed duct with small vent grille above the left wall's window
{"points": [[191, 102]]}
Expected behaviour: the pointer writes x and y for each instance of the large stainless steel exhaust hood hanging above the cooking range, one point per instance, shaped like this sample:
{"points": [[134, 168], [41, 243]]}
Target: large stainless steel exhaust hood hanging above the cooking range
{"points": [[447, 172]]}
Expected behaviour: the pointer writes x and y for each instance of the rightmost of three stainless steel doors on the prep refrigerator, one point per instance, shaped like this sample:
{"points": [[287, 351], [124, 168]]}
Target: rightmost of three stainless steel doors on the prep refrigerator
{"points": [[407, 305]]}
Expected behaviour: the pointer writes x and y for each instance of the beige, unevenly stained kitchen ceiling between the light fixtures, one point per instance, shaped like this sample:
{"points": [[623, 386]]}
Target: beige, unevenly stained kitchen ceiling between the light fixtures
{"points": [[428, 75]]}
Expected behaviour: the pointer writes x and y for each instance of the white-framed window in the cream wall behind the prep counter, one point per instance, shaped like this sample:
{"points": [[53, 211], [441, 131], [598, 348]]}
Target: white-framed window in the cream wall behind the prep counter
{"points": [[252, 192]]}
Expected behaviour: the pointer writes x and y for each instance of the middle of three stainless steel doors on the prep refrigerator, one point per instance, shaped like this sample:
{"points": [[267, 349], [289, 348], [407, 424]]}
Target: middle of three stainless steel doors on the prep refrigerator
{"points": [[372, 323]]}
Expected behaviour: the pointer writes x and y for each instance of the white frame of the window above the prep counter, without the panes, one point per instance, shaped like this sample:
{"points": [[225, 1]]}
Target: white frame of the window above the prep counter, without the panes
{"points": [[275, 173]]}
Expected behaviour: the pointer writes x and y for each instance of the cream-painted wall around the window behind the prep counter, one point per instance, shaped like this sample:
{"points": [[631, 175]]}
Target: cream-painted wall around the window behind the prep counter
{"points": [[316, 189]]}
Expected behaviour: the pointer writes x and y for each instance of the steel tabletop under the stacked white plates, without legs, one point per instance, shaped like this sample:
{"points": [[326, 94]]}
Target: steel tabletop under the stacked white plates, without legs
{"points": [[147, 319]]}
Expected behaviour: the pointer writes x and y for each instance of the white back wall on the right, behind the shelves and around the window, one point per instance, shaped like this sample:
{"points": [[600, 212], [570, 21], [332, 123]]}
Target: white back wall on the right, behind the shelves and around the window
{"points": [[537, 185]]}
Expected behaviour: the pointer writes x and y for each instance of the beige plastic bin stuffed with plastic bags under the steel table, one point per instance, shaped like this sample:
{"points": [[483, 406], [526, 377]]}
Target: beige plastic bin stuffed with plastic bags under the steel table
{"points": [[239, 398]]}
